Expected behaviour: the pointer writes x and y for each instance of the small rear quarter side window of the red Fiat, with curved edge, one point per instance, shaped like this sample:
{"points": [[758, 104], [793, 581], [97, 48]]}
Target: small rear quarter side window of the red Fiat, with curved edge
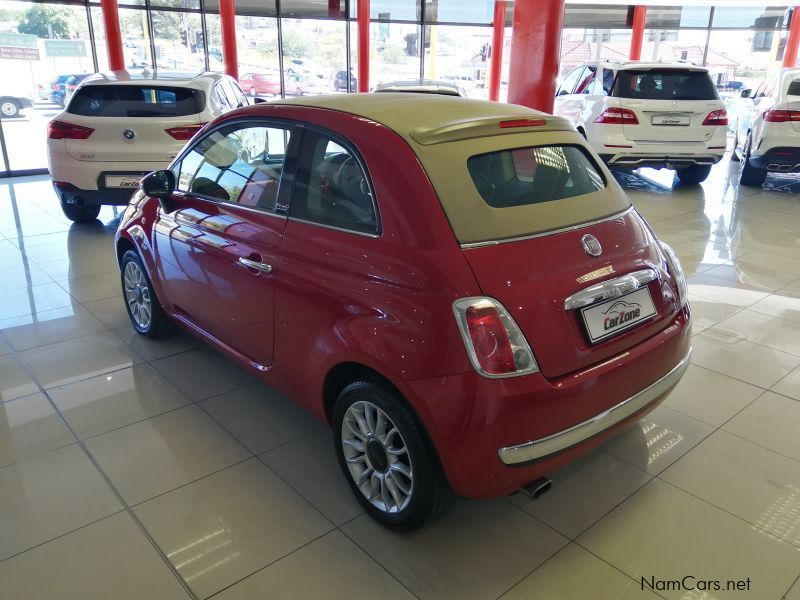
{"points": [[331, 187]]}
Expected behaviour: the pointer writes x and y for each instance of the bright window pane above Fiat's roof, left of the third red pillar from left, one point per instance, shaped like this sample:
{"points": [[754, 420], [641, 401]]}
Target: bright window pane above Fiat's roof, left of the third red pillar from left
{"points": [[314, 56]]}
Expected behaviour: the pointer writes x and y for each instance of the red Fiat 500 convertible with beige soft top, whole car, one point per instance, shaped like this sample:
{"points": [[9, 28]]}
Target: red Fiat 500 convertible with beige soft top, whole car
{"points": [[460, 288]]}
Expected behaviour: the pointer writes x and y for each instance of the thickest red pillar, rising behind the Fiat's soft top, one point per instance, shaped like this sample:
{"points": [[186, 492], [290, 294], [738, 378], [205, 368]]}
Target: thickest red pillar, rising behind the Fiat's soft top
{"points": [[535, 50]]}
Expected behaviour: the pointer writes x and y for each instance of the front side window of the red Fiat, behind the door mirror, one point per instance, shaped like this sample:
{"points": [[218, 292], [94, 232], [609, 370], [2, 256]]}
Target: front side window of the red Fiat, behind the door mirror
{"points": [[237, 164]]}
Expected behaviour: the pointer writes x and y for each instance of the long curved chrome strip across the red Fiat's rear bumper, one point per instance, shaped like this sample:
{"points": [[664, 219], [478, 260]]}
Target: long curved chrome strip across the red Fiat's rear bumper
{"points": [[552, 444]]}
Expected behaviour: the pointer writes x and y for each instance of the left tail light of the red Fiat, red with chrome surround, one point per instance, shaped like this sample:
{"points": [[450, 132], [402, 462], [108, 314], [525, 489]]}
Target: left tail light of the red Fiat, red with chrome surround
{"points": [[494, 342]]}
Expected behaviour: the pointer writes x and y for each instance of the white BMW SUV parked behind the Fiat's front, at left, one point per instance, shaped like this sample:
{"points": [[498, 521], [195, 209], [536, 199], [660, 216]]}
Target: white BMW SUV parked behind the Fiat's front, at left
{"points": [[122, 125]]}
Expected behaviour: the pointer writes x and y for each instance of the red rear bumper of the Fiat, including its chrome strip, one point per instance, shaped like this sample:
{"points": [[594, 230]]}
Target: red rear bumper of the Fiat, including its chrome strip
{"points": [[494, 436]]}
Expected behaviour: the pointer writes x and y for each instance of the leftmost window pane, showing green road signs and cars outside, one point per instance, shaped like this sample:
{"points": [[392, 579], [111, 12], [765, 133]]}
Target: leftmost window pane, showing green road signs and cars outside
{"points": [[41, 46]]}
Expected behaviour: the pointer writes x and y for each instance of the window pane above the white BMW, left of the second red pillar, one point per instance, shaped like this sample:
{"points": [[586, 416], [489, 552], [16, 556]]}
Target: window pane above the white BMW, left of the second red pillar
{"points": [[178, 40]]}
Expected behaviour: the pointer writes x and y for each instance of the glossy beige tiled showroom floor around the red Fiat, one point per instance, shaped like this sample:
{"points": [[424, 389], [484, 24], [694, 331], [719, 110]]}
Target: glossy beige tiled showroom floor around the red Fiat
{"points": [[135, 469]]}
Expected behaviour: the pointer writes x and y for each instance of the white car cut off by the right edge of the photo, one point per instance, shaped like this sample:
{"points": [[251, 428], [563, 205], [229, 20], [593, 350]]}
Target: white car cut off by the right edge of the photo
{"points": [[768, 128]]}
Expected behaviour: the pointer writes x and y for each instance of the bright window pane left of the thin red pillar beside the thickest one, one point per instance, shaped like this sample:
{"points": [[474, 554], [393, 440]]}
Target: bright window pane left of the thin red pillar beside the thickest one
{"points": [[459, 54]]}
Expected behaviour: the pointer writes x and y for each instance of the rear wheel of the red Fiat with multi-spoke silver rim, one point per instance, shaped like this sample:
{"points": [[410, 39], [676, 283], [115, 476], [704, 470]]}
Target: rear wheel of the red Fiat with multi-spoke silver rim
{"points": [[377, 434]]}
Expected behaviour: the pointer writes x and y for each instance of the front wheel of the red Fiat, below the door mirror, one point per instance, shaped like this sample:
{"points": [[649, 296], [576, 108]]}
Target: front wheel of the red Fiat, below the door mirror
{"points": [[141, 303]]}
